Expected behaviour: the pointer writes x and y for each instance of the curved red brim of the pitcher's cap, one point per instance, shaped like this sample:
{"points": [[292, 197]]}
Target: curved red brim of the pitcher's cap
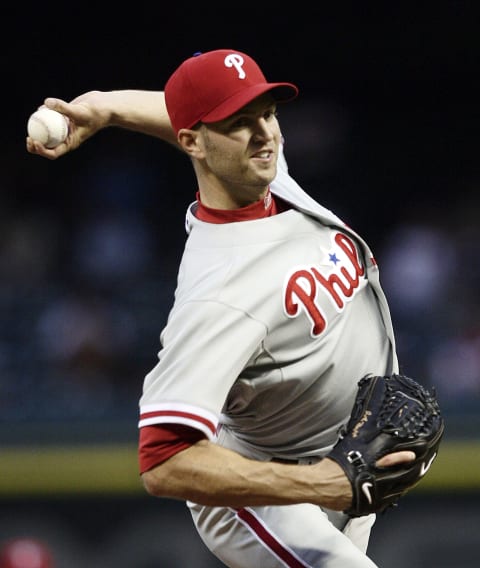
{"points": [[282, 92]]}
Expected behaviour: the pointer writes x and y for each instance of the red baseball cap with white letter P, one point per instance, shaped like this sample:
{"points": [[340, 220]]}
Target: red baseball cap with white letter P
{"points": [[211, 86]]}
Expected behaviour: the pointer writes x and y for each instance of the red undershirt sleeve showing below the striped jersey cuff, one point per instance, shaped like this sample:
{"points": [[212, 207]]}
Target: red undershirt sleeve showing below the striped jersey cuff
{"points": [[159, 442]]}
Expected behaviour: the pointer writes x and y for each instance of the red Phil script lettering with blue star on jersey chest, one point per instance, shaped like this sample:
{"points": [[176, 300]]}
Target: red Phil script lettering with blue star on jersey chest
{"points": [[340, 284]]}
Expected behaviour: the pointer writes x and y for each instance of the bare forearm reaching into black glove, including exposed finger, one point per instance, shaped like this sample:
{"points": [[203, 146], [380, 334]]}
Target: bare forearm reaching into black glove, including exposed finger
{"points": [[209, 474]]}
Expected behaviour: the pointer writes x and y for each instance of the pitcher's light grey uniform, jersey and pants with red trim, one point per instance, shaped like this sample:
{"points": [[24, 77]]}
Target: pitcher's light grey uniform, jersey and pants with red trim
{"points": [[274, 322]]}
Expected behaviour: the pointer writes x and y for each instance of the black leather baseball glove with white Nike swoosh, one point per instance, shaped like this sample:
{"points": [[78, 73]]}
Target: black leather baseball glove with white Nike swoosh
{"points": [[390, 414]]}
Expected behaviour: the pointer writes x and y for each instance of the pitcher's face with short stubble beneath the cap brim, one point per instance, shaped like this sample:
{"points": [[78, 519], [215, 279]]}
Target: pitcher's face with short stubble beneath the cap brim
{"points": [[241, 151]]}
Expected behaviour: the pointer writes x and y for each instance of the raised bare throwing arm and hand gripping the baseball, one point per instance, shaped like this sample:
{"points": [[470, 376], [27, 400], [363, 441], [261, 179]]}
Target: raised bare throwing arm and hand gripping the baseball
{"points": [[137, 110]]}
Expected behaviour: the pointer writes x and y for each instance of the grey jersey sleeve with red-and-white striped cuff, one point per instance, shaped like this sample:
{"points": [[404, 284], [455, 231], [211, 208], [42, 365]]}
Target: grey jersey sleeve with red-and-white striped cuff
{"points": [[206, 344]]}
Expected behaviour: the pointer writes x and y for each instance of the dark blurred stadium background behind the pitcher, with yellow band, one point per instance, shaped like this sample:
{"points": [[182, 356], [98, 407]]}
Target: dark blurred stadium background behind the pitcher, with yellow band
{"points": [[385, 133]]}
